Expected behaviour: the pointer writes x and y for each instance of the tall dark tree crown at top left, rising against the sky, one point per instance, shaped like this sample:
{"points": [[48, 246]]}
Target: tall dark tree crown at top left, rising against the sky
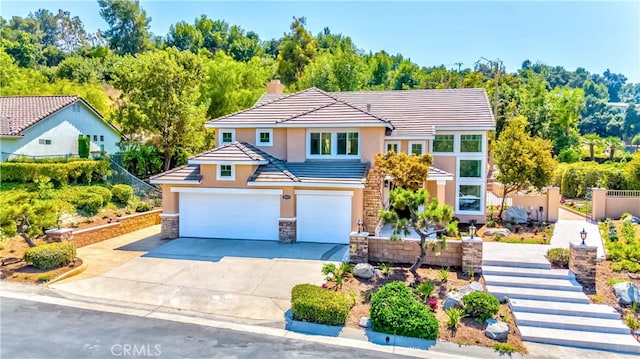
{"points": [[128, 31]]}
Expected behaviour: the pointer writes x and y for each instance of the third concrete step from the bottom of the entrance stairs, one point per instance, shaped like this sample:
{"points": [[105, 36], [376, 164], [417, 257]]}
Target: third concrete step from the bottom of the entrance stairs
{"points": [[563, 308]]}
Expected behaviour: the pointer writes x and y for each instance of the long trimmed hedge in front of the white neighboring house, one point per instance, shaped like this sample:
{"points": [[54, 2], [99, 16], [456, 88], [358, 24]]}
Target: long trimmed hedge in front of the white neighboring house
{"points": [[60, 173]]}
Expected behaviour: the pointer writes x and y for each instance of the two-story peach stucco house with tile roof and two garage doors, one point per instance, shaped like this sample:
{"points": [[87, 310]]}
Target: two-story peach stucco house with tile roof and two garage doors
{"points": [[298, 167]]}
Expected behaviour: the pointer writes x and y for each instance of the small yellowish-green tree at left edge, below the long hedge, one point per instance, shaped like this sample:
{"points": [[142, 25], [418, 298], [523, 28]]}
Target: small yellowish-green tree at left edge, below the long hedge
{"points": [[26, 215]]}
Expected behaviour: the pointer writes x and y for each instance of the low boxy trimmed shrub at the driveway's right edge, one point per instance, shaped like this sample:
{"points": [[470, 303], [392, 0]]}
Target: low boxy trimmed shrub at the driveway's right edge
{"points": [[313, 304]]}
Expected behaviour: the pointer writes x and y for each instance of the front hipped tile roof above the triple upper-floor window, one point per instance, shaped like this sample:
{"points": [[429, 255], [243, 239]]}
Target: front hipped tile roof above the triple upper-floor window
{"points": [[309, 106]]}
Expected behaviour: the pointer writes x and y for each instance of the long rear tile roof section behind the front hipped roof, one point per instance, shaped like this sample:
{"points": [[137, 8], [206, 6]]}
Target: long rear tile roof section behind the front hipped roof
{"points": [[419, 112]]}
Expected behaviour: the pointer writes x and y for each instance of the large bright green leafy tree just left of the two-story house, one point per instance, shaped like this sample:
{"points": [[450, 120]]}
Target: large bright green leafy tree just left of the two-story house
{"points": [[159, 98]]}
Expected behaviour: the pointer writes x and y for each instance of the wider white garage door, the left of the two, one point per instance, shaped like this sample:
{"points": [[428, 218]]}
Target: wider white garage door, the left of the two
{"points": [[230, 215]]}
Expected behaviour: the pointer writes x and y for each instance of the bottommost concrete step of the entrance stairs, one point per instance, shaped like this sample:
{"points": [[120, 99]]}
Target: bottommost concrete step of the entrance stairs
{"points": [[582, 339]]}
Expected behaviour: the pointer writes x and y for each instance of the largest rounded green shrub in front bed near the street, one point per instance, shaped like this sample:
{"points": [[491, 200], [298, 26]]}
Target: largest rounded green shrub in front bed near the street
{"points": [[394, 310]]}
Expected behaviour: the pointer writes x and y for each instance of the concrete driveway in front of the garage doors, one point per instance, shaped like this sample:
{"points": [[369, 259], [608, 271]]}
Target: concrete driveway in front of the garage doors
{"points": [[239, 280]]}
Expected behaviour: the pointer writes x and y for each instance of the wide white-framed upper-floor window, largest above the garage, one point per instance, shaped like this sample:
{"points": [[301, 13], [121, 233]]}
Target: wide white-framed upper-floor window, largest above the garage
{"points": [[334, 143]]}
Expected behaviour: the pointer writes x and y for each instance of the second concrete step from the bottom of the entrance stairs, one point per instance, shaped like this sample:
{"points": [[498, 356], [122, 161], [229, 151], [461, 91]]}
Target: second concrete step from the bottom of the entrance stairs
{"points": [[568, 322]]}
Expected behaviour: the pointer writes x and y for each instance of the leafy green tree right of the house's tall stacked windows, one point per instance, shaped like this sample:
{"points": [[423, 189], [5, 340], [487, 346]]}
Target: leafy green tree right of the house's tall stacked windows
{"points": [[523, 161]]}
